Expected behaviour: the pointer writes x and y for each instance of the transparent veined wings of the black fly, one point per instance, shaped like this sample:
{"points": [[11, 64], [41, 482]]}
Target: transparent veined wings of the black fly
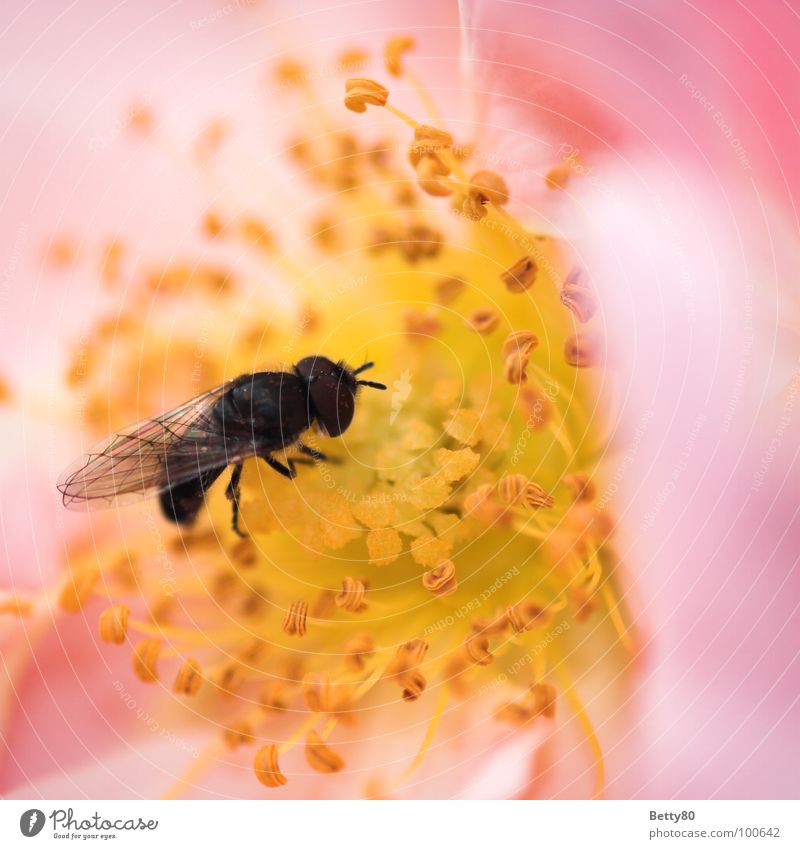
{"points": [[151, 456]]}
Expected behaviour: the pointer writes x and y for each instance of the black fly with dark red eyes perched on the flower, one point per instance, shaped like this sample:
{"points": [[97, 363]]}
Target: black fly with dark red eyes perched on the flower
{"points": [[178, 455]]}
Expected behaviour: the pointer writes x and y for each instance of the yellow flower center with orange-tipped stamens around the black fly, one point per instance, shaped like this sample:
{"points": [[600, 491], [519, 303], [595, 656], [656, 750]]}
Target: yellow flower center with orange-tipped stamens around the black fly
{"points": [[453, 546]]}
